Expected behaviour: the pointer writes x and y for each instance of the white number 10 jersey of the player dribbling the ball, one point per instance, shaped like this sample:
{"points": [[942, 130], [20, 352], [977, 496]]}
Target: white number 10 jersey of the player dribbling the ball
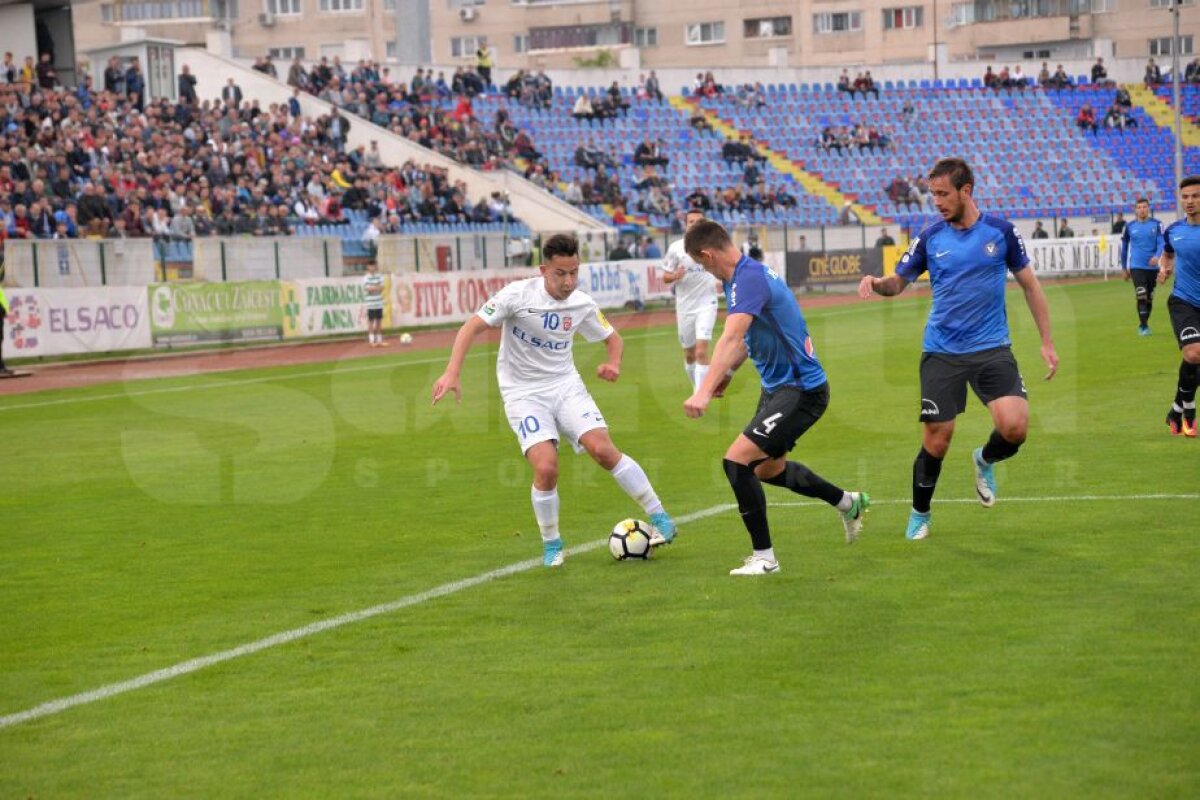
{"points": [[536, 346]]}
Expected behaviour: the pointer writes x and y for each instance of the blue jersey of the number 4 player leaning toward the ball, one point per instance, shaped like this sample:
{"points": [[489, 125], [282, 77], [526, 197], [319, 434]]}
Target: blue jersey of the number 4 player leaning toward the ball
{"points": [[778, 339]]}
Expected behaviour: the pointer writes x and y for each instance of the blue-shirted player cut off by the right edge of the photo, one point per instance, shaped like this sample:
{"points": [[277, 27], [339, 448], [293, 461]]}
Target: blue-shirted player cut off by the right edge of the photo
{"points": [[1181, 255]]}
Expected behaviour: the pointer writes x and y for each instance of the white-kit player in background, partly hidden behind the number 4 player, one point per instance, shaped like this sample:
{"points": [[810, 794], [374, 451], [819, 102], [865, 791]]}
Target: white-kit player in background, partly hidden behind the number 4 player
{"points": [[695, 293]]}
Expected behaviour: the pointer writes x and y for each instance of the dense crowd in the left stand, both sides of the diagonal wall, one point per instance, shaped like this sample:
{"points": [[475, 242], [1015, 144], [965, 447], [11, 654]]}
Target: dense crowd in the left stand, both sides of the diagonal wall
{"points": [[101, 163]]}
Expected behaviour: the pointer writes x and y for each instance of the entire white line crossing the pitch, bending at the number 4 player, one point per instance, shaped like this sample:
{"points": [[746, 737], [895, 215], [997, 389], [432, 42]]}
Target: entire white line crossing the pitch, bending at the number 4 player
{"points": [[195, 665]]}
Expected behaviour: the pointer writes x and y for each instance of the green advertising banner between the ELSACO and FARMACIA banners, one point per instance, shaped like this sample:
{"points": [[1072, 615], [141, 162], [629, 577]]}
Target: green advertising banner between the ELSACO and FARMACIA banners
{"points": [[215, 312]]}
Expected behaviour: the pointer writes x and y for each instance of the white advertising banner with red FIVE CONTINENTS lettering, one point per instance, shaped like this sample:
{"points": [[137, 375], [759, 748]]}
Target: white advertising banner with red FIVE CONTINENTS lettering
{"points": [[435, 299]]}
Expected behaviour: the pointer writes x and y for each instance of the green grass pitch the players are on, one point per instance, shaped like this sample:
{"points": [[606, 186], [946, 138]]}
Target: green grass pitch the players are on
{"points": [[1046, 648]]}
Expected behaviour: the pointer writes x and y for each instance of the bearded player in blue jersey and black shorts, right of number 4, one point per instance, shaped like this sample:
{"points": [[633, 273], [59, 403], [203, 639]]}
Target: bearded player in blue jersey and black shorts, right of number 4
{"points": [[969, 256]]}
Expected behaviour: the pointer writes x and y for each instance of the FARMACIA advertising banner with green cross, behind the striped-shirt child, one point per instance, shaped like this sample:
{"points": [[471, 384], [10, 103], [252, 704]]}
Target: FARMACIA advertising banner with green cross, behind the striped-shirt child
{"points": [[329, 306]]}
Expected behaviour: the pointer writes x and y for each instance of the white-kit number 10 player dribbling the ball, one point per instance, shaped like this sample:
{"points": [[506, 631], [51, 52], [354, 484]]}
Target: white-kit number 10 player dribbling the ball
{"points": [[544, 396]]}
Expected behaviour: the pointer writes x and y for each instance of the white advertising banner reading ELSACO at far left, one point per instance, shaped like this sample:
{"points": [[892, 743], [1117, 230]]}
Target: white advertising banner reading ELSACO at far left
{"points": [[61, 322]]}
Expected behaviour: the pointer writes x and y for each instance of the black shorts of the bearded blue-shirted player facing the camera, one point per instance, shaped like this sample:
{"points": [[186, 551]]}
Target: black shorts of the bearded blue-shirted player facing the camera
{"points": [[945, 378]]}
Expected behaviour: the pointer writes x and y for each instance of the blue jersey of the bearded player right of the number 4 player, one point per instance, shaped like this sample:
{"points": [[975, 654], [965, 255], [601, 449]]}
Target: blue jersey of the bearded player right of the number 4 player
{"points": [[968, 272]]}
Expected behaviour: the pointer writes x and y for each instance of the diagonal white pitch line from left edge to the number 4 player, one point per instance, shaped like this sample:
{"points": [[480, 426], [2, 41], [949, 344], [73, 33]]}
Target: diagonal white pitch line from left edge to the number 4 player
{"points": [[196, 665]]}
